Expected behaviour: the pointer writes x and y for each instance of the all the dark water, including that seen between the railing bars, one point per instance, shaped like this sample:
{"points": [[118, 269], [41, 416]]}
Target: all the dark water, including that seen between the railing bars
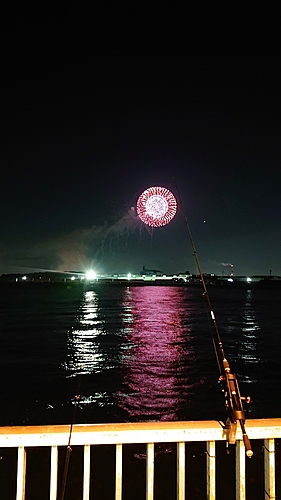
{"points": [[133, 353]]}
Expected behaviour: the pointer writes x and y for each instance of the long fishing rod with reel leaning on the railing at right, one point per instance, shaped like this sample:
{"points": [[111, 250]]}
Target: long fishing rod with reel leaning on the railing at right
{"points": [[227, 380]]}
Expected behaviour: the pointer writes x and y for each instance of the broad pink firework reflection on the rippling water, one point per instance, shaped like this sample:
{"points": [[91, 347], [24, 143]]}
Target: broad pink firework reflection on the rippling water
{"points": [[159, 356]]}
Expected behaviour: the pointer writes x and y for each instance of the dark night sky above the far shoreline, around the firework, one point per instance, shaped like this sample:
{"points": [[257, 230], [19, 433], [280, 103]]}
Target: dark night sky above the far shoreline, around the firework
{"points": [[99, 103]]}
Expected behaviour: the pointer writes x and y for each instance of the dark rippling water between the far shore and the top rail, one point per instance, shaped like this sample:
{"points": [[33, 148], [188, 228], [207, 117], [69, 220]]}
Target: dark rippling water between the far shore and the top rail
{"points": [[133, 353]]}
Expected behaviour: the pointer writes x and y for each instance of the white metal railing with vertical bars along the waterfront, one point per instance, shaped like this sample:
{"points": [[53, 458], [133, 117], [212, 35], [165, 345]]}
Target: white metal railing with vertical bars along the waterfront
{"points": [[149, 433]]}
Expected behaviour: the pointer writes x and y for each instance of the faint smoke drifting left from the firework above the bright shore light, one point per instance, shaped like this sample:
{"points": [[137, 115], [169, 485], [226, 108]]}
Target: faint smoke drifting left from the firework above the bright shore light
{"points": [[77, 250]]}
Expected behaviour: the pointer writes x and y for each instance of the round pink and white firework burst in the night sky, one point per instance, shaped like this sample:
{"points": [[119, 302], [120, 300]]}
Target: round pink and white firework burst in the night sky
{"points": [[156, 206]]}
